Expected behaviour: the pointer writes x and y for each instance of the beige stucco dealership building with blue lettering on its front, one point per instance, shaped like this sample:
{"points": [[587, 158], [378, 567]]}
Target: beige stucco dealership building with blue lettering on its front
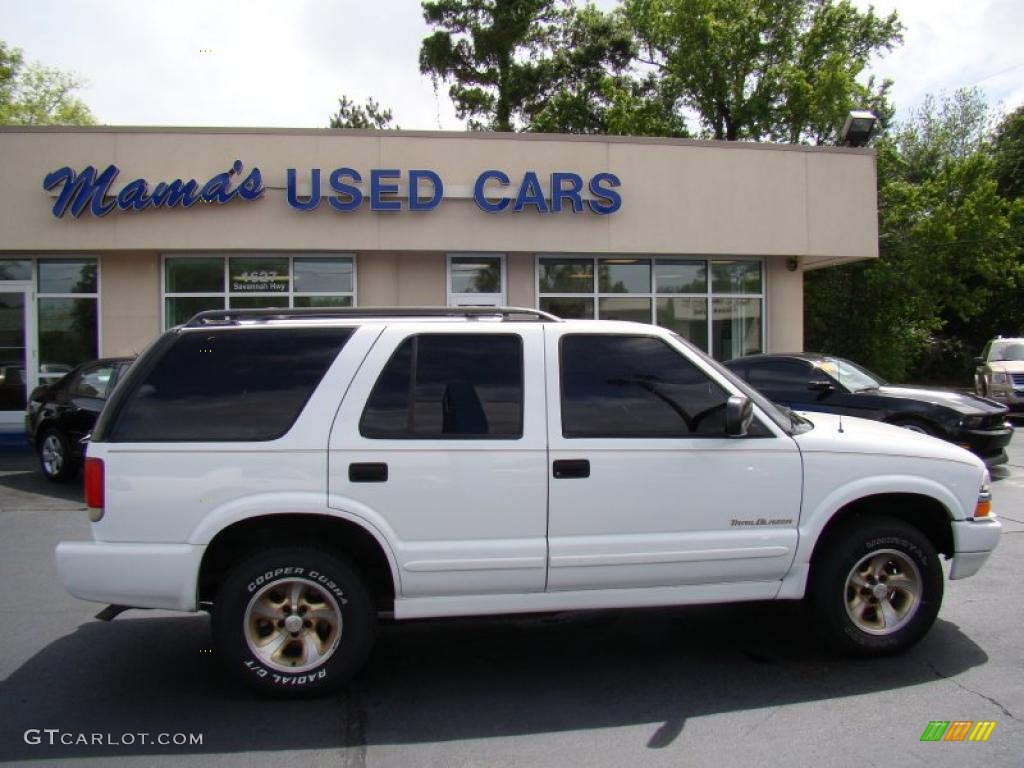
{"points": [[711, 239]]}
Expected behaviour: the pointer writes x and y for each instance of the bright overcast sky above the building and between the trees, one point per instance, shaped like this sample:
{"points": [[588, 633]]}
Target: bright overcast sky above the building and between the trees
{"points": [[285, 63]]}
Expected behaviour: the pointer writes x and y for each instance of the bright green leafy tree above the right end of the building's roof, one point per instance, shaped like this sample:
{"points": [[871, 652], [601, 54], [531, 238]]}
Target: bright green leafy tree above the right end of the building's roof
{"points": [[782, 70]]}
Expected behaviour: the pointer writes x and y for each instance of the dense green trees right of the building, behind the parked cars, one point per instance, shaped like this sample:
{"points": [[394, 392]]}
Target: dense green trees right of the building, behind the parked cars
{"points": [[950, 274]]}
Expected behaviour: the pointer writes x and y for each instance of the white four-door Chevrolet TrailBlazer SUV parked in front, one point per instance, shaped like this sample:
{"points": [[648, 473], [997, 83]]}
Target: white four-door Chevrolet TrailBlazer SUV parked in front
{"points": [[302, 474]]}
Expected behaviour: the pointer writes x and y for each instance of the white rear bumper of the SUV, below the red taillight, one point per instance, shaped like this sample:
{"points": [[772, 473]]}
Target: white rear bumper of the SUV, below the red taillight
{"points": [[141, 576]]}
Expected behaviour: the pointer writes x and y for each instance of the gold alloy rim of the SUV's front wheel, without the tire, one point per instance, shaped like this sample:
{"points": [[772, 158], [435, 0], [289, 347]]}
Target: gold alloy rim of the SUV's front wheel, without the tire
{"points": [[883, 592]]}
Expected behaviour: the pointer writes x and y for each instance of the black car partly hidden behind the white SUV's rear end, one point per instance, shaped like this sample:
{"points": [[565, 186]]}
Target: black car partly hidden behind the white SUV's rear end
{"points": [[60, 415]]}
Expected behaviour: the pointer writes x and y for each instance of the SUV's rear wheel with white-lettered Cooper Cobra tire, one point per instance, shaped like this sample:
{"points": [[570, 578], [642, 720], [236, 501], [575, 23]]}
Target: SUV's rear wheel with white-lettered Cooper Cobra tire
{"points": [[332, 605]]}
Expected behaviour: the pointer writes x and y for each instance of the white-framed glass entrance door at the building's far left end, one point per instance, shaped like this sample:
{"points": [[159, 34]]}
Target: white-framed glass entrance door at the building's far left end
{"points": [[16, 376]]}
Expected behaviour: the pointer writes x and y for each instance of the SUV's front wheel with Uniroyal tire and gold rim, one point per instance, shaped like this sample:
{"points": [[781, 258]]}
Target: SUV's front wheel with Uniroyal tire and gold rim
{"points": [[862, 552]]}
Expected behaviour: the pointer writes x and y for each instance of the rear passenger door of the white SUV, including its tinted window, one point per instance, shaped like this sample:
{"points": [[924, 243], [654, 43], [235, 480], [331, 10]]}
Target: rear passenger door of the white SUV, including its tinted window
{"points": [[441, 440]]}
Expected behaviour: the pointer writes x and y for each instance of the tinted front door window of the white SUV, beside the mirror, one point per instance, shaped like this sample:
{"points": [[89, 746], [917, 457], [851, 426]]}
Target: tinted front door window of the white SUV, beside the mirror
{"points": [[635, 387]]}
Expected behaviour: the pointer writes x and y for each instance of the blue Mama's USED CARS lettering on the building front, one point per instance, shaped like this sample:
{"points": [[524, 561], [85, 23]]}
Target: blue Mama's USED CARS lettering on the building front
{"points": [[349, 190]]}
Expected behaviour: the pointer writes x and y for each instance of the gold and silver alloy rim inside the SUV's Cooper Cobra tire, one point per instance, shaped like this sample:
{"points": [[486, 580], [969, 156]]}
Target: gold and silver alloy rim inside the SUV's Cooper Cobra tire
{"points": [[293, 625]]}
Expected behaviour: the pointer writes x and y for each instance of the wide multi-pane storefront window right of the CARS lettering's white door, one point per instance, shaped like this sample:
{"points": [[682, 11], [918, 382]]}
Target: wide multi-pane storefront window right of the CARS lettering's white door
{"points": [[675, 293]]}
